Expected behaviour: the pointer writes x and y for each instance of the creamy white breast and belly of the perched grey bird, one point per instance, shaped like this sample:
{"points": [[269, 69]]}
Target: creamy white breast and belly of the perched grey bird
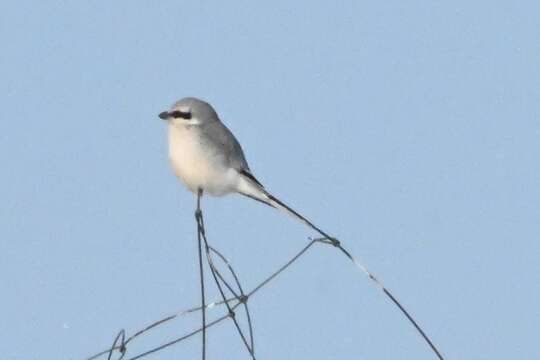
{"points": [[193, 164]]}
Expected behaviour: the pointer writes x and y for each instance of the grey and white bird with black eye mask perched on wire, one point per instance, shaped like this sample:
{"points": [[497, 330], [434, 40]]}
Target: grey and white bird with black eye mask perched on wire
{"points": [[206, 156]]}
